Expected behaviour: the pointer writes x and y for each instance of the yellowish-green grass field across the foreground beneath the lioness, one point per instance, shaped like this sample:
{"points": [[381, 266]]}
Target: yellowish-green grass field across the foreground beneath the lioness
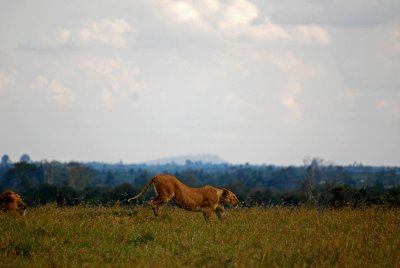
{"points": [[247, 237]]}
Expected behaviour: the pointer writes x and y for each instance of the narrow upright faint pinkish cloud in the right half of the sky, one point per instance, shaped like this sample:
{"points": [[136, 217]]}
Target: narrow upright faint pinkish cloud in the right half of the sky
{"points": [[289, 102]]}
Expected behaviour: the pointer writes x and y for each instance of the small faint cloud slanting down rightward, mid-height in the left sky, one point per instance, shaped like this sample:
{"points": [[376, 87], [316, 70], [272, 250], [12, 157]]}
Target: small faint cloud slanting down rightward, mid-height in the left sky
{"points": [[55, 91]]}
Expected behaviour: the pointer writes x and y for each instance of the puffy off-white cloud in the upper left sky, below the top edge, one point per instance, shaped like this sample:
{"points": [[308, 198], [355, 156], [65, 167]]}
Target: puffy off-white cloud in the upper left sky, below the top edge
{"points": [[108, 31]]}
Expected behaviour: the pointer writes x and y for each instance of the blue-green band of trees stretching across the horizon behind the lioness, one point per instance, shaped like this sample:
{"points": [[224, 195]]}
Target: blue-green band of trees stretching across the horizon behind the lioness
{"points": [[315, 183]]}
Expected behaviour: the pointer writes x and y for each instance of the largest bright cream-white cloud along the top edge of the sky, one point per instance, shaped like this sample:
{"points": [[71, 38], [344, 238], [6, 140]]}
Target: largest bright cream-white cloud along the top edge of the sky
{"points": [[236, 19]]}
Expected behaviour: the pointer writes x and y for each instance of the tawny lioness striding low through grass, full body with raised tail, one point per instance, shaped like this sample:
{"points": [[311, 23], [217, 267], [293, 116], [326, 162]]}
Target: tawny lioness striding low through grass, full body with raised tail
{"points": [[206, 199]]}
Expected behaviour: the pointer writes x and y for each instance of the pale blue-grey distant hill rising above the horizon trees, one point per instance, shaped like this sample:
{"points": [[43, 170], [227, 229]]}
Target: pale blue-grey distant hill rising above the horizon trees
{"points": [[181, 160]]}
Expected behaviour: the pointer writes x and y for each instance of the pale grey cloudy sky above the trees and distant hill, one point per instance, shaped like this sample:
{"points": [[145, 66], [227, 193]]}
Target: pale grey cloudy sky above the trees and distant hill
{"points": [[264, 82]]}
